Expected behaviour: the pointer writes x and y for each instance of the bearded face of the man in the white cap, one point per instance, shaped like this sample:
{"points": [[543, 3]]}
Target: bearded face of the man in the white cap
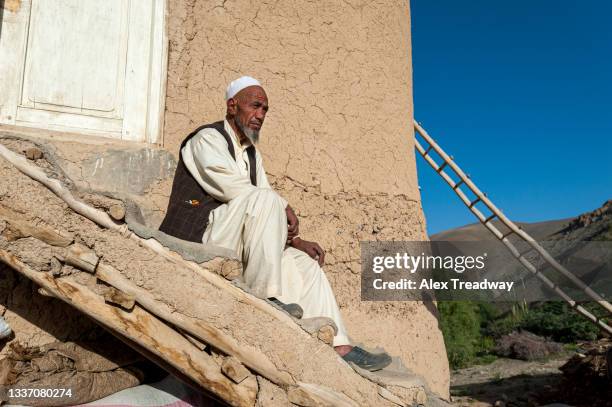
{"points": [[249, 108]]}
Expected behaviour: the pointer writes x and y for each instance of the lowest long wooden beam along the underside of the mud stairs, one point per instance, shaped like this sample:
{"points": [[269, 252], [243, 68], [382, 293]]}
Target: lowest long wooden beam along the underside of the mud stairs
{"points": [[145, 330]]}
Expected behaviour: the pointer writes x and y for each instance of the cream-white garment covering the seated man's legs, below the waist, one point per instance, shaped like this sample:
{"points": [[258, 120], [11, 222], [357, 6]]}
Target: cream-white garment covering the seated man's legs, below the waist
{"points": [[254, 225]]}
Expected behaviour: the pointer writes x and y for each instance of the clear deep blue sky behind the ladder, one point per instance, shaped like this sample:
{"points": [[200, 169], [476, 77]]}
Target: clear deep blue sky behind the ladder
{"points": [[520, 93]]}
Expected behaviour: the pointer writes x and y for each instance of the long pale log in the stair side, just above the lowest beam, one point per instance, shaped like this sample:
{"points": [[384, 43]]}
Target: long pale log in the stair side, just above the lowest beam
{"points": [[252, 358]]}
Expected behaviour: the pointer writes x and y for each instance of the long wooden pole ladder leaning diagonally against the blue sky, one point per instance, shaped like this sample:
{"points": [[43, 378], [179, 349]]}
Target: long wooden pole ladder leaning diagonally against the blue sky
{"points": [[464, 181]]}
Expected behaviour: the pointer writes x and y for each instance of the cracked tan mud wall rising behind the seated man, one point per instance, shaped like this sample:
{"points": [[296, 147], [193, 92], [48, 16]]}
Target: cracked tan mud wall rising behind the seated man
{"points": [[338, 140]]}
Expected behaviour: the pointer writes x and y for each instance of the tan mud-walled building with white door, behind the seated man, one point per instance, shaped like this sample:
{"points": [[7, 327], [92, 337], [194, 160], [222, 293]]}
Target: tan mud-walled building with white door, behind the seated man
{"points": [[113, 87]]}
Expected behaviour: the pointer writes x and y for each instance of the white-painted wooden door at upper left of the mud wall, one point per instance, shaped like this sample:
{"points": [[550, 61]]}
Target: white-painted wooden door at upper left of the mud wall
{"points": [[86, 66]]}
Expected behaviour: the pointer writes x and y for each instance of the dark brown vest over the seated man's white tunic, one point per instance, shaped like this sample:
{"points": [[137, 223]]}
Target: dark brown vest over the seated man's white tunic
{"points": [[190, 204]]}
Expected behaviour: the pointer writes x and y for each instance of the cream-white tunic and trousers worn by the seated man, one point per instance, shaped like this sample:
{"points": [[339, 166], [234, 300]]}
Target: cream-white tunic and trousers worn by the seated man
{"points": [[253, 223]]}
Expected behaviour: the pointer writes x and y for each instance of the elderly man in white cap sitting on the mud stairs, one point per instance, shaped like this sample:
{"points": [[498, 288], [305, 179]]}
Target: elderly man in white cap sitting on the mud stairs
{"points": [[221, 196]]}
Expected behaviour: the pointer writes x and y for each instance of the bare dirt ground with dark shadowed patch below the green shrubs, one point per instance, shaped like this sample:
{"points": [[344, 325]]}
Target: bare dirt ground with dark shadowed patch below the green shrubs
{"points": [[582, 378]]}
